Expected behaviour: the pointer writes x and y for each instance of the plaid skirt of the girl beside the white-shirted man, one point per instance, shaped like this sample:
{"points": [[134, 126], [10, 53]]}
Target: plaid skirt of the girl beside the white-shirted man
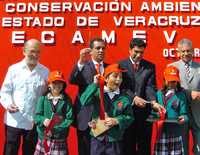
{"points": [[56, 147]]}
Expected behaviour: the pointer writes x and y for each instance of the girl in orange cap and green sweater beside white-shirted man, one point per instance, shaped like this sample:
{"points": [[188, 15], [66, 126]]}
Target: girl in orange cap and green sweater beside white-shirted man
{"points": [[53, 117]]}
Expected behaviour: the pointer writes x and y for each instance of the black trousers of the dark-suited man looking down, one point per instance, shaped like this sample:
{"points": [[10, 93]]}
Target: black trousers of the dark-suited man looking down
{"points": [[137, 139]]}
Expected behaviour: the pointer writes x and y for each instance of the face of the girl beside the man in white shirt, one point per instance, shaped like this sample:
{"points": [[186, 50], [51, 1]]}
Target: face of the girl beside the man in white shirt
{"points": [[56, 87]]}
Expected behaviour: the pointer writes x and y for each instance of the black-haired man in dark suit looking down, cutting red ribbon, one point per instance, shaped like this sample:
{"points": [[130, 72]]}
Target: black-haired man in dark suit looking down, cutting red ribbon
{"points": [[141, 82]]}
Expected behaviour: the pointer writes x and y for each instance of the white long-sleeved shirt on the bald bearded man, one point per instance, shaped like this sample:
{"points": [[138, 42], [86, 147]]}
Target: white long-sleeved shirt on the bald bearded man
{"points": [[23, 88]]}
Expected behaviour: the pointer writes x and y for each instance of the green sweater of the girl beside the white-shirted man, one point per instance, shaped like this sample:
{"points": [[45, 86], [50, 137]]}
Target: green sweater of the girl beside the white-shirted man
{"points": [[44, 110]]}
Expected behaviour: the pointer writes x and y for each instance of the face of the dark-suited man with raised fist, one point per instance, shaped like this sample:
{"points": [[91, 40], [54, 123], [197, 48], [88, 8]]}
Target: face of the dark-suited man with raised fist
{"points": [[98, 51]]}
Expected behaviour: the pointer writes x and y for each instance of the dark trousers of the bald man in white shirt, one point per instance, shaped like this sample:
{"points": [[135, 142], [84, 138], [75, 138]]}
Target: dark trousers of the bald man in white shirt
{"points": [[13, 137]]}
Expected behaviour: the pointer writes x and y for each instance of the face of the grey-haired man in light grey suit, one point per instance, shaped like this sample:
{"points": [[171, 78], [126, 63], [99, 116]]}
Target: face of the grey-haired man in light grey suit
{"points": [[186, 52]]}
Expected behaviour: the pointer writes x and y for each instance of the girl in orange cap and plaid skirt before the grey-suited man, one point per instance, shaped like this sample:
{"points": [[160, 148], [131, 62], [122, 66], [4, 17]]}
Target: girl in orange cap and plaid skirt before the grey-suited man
{"points": [[173, 98]]}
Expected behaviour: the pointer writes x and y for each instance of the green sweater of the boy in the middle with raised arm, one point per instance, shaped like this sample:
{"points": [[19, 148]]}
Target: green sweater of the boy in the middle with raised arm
{"points": [[121, 110]]}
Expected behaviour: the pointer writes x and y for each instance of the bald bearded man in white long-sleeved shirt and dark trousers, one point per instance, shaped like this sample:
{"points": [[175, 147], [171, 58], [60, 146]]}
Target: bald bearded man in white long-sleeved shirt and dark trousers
{"points": [[25, 81]]}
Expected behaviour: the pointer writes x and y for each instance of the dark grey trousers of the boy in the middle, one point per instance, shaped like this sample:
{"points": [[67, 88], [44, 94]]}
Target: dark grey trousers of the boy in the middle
{"points": [[105, 148]]}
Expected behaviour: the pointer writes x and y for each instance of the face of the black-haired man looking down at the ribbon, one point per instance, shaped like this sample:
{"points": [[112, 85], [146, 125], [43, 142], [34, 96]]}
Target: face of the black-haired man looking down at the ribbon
{"points": [[136, 53]]}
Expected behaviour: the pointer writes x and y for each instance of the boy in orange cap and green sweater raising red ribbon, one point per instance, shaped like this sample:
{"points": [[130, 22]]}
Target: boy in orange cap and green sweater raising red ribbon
{"points": [[118, 111]]}
